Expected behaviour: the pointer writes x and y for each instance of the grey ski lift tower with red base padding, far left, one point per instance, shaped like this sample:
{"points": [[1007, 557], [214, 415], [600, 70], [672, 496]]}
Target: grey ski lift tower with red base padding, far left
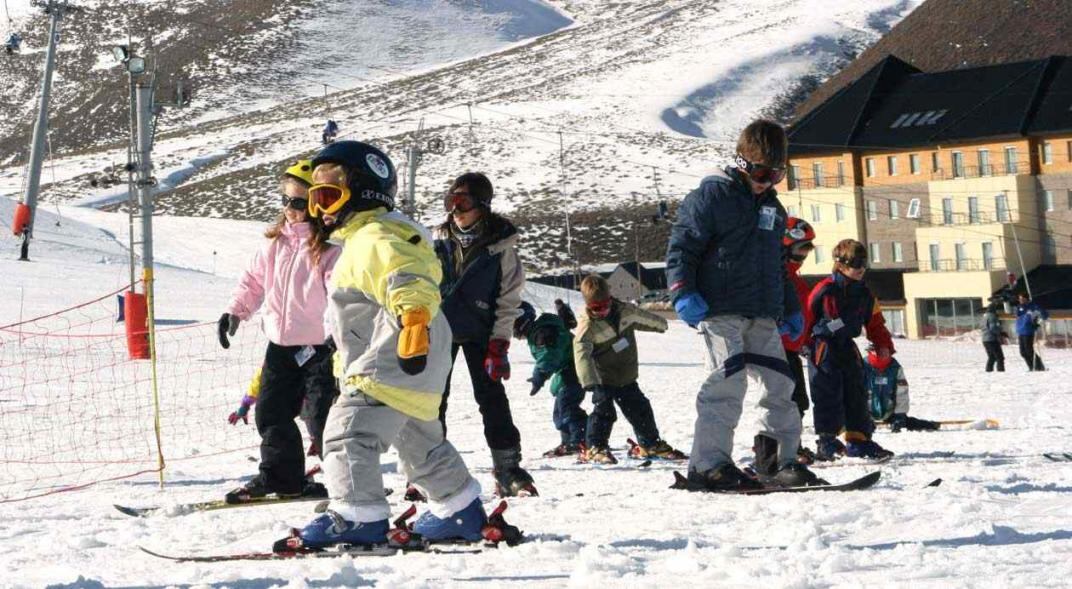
{"points": [[56, 9]]}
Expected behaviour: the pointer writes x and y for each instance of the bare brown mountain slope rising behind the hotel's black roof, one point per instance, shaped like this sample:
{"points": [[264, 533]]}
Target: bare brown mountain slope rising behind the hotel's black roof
{"points": [[948, 35]]}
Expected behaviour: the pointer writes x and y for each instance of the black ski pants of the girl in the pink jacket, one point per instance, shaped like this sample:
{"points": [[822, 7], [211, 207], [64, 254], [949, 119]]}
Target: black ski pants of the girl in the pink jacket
{"points": [[285, 387]]}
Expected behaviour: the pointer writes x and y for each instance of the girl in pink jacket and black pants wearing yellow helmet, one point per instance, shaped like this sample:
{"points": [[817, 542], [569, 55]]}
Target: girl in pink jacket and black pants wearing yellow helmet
{"points": [[289, 277]]}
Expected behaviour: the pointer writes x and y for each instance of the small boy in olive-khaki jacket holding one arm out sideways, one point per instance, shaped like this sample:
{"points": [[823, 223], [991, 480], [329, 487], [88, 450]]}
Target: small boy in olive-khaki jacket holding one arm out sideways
{"points": [[605, 355]]}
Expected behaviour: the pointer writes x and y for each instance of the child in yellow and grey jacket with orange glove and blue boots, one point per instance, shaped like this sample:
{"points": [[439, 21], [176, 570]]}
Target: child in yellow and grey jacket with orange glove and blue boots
{"points": [[393, 361]]}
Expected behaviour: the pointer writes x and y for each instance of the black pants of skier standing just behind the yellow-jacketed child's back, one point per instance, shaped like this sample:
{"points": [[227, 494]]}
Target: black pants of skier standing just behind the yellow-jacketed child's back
{"points": [[490, 395]]}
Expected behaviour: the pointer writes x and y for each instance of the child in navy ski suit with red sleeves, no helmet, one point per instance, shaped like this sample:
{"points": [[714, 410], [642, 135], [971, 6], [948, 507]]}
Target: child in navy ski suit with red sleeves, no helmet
{"points": [[839, 310]]}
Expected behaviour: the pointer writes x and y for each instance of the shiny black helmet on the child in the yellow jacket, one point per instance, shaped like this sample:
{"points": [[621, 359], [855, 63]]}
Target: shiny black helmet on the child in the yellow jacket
{"points": [[370, 174]]}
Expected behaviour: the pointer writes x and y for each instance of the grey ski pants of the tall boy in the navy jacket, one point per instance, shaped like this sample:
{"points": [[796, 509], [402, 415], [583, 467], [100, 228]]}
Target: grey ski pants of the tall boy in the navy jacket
{"points": [[737, 345]]}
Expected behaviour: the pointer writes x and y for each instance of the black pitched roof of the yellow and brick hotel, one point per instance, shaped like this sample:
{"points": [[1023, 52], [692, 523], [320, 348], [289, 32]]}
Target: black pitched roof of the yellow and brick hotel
{"points": [[896, 106]]}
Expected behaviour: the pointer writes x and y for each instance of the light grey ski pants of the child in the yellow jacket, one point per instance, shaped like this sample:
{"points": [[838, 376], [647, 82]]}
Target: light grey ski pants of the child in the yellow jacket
{"points": [[360, 430]]}
